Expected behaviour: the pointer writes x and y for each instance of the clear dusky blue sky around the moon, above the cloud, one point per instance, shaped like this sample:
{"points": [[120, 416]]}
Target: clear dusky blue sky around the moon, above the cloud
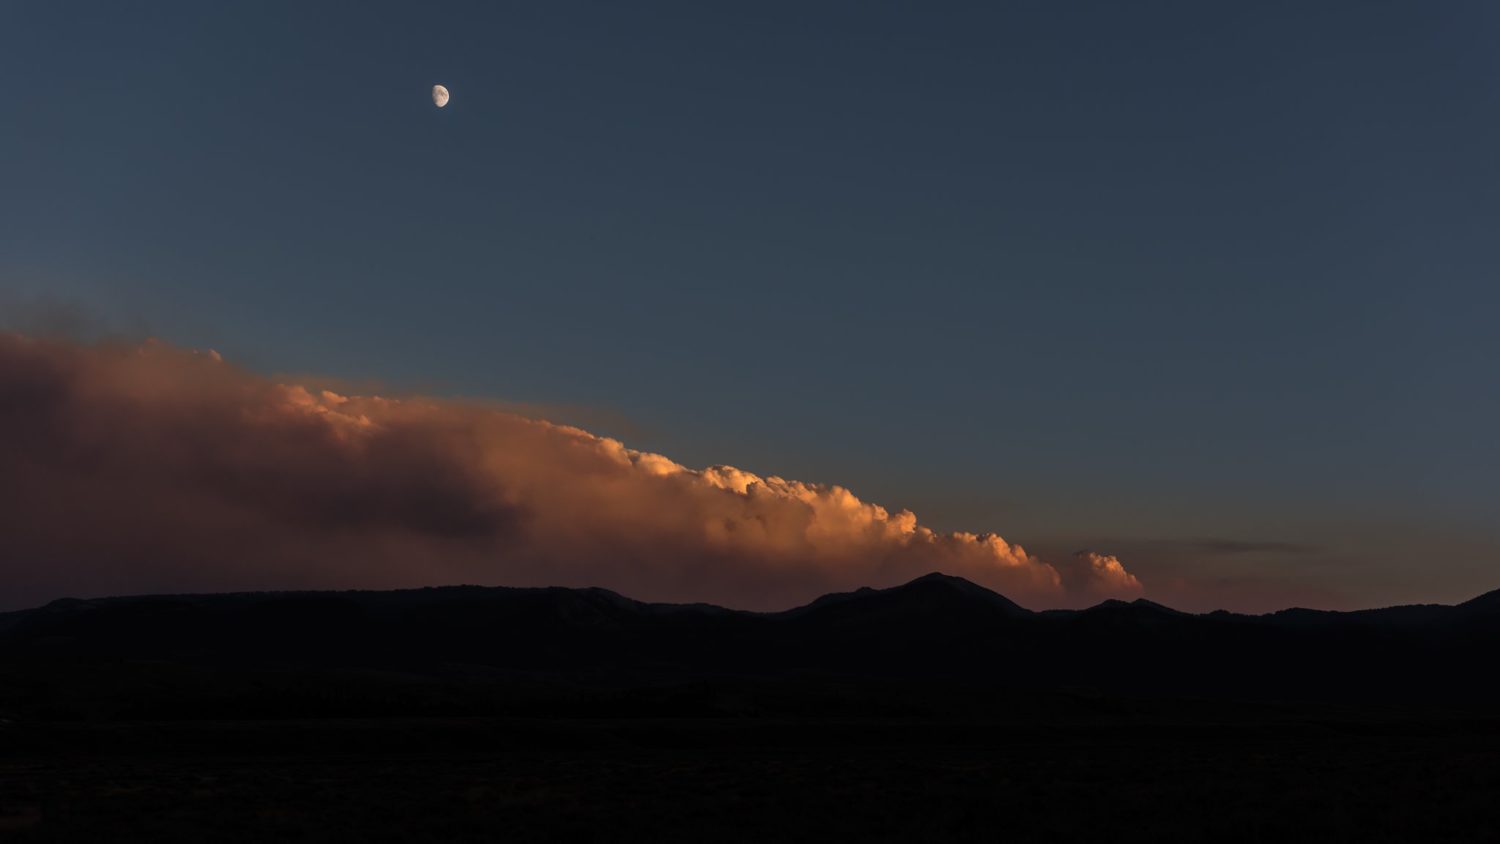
{"points": [[1207, 286]]}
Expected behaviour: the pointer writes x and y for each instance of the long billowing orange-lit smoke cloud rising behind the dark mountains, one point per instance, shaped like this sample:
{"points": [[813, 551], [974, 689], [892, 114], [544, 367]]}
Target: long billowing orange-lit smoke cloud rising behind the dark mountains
{"points": [[154, 468]]}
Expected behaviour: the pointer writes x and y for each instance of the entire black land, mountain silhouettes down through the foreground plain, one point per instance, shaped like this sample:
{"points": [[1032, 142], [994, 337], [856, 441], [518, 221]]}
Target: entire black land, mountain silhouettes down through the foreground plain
{"points": [[935, 711]]}
